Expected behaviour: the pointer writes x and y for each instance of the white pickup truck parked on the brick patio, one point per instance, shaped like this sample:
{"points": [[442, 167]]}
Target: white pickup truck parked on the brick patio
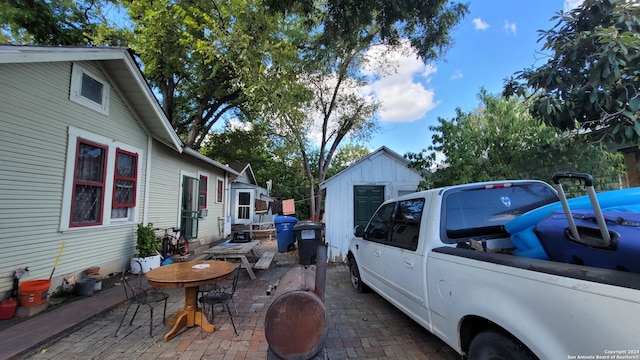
{"points": [[437, 256]]}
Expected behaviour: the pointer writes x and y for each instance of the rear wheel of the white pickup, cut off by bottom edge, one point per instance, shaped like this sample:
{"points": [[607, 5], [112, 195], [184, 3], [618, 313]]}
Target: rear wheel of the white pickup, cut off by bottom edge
{"points": [[494, 345]]}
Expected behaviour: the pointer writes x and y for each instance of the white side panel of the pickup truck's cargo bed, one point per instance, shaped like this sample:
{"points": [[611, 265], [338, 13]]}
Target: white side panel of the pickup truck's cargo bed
{"points": [[557, 310]]}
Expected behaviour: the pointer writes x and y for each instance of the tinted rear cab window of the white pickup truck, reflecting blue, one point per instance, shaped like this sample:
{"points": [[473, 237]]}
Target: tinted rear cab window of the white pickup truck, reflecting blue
{"points": [[480, 212]]}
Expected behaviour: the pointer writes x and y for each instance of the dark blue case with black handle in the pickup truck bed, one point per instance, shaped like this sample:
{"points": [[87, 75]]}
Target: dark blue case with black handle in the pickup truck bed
{"points": [[621, 251]]}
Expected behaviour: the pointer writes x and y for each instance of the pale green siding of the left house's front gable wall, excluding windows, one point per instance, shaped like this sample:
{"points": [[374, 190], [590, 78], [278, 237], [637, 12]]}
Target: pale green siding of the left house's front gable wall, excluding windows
{"points": [[35, 114]]}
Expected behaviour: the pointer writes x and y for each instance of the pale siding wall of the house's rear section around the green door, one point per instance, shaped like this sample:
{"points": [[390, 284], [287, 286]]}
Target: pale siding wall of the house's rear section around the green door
{"points": [[165, 192]]}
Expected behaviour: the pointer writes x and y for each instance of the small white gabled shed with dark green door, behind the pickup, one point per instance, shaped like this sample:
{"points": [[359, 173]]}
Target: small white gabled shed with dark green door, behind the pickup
{"points": [[354, 194]]}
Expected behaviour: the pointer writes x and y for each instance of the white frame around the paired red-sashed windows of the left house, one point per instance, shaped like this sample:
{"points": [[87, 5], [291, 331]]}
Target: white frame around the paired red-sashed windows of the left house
{"points": [[112, 146]]}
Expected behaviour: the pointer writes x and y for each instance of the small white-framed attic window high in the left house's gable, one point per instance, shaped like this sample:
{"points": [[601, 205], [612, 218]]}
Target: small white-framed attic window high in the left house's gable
{"points": [[89, 89]]}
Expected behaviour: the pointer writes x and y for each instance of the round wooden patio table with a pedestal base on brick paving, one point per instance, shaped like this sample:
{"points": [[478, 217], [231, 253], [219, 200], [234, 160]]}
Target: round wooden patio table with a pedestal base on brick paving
{"points": [[189, 275]]}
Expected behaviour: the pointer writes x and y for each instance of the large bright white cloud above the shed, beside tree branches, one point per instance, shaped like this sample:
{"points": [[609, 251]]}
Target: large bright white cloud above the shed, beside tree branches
{"points": [[403, 94]]}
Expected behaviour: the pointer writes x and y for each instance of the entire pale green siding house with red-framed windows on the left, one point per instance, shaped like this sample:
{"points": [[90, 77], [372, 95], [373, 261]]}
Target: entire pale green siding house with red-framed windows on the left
{"points": [[86, 153]]}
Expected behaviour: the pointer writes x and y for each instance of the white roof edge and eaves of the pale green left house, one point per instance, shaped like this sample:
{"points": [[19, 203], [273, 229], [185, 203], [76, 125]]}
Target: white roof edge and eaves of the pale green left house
{"points": [[125, 76]]}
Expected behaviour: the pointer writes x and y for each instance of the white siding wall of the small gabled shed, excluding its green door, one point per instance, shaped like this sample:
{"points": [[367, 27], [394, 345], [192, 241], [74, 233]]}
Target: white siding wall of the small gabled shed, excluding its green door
{"points": [[378, 170]]}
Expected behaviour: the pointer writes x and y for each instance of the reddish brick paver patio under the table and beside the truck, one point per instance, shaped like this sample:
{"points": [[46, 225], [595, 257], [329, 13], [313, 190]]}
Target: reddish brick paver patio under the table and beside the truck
{"points": [[361, 326]]}
